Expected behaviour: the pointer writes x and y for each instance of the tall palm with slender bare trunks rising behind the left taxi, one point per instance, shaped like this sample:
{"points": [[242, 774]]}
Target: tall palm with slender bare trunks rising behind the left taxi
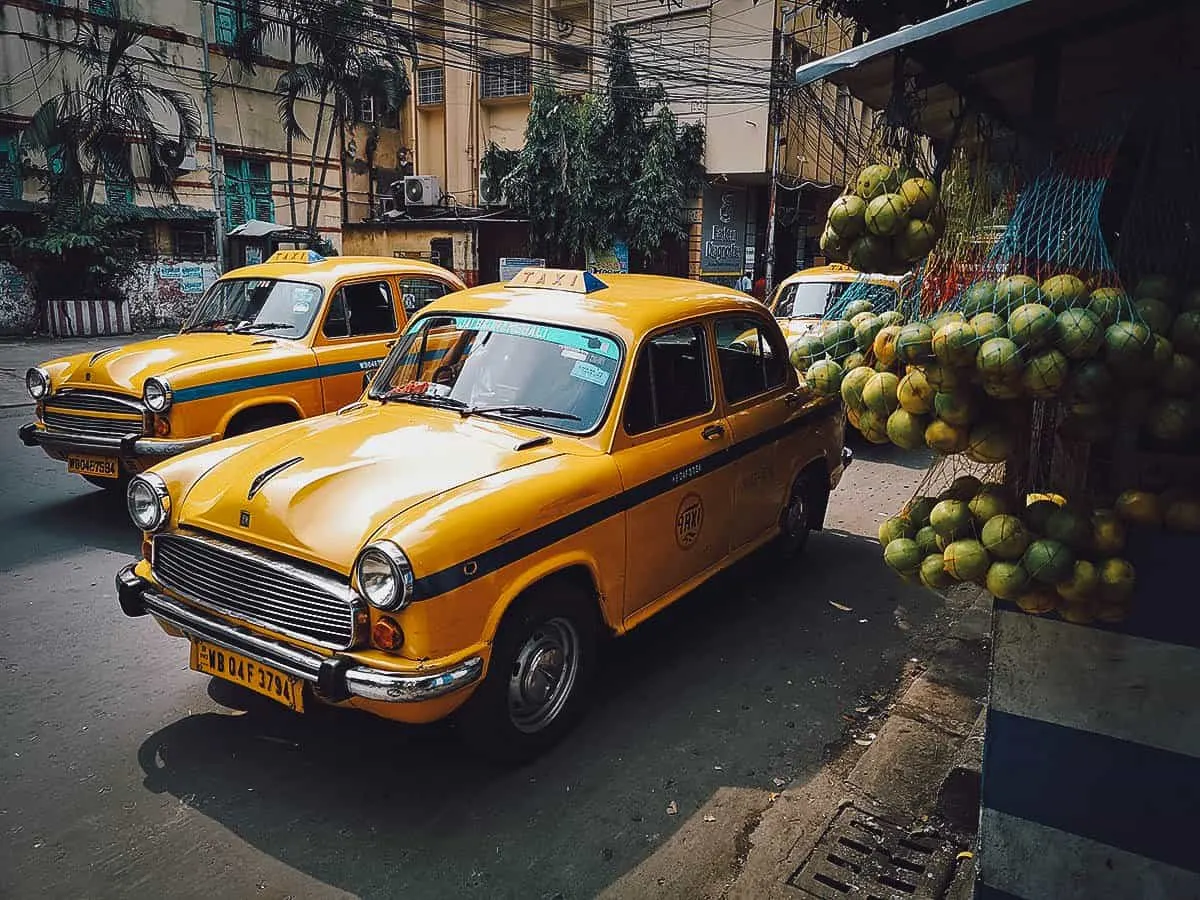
{"points": [[352, 56]]}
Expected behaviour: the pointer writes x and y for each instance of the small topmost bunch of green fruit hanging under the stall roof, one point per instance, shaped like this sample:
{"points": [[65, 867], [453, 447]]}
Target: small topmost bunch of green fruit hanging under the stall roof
{"points": [[887, 221]]}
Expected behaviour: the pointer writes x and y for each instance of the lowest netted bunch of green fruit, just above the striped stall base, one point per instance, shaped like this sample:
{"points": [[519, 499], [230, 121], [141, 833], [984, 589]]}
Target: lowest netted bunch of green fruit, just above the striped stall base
{"points": [[1046, 555]]}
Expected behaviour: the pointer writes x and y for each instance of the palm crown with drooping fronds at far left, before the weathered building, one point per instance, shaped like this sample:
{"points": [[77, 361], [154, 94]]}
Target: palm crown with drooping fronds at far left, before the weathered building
{"points": [[116, 103]]}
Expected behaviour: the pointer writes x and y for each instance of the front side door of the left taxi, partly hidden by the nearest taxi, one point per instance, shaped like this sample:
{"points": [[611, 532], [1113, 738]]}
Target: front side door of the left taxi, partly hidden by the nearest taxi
{"points": [[359, 327]]}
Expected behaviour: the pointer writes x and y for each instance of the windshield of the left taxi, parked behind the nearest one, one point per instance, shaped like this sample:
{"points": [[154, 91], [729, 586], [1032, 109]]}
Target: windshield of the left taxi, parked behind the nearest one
{"points": [[269, 307]]}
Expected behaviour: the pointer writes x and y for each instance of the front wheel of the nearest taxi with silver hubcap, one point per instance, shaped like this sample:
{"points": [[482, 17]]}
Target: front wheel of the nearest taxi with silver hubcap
{"points": [[539, 677]]}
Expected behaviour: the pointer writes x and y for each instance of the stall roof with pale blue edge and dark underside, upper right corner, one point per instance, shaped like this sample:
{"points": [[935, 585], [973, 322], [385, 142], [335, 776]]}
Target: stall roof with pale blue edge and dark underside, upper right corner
{"points": [[1027, 62]]}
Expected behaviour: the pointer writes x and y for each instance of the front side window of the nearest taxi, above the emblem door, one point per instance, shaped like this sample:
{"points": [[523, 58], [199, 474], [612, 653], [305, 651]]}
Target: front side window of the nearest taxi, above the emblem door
{"points": [[671, 381]]}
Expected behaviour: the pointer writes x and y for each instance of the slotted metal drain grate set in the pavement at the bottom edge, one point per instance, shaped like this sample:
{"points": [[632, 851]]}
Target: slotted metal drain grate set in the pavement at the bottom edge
{"points": [[861, 857]]}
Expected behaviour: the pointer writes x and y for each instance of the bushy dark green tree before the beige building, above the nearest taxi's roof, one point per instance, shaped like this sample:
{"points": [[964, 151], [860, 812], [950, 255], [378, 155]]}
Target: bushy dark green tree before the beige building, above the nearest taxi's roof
{"points": [[603, 167]]}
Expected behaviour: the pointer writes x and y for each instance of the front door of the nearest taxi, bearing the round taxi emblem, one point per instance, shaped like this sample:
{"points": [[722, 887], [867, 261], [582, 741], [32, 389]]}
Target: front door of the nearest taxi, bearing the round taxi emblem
{"points": [[670, 453]]}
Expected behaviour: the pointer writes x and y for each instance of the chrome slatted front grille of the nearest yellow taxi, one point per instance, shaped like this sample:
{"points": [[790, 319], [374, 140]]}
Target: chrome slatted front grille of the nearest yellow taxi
{"points": [[262, 590]]}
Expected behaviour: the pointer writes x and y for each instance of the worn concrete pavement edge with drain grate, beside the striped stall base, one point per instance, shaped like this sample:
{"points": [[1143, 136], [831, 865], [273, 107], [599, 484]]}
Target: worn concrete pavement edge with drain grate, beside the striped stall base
{"points": [[904, 787]]}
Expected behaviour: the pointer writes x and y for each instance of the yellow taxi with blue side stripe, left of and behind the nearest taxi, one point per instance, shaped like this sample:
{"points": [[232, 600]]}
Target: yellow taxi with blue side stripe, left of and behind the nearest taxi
{"points": [[292, 338]]}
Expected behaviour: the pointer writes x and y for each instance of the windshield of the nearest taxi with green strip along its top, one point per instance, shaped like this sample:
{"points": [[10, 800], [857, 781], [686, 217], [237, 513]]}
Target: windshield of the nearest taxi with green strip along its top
{"points": [[543, 375]]}
